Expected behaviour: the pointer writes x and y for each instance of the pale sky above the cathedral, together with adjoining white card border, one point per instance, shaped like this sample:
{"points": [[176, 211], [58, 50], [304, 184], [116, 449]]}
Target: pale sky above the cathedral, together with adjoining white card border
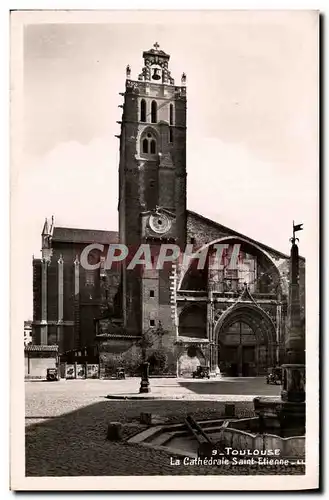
{"points": [[252, 147]]}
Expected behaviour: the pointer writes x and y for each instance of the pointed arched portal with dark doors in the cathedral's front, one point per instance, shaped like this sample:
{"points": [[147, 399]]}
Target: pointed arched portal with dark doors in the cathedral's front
{"points": [[246, 342]]}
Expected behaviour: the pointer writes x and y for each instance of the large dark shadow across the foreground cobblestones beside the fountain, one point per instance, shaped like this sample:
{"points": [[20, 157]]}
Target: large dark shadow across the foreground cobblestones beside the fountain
{"points": [[75, 444]]}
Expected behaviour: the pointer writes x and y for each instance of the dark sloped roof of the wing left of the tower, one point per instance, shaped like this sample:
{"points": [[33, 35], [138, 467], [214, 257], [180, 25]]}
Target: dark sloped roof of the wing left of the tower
{"points": [[75, 235]]}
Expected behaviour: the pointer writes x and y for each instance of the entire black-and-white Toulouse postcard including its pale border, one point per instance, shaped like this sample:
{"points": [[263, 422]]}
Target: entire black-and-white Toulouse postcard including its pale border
{"points": [[164, 250]]}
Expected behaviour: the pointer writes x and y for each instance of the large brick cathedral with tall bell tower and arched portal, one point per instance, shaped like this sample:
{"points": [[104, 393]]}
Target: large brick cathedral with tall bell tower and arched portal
{"points": [[231, 317]]}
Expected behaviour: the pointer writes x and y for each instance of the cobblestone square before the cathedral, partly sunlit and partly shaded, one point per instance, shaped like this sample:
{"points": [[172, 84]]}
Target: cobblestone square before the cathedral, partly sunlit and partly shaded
{"points": [[66, 425]]}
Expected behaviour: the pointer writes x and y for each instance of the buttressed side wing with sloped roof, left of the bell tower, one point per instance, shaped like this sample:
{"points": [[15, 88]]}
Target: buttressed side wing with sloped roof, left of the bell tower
{"points": [[67, 299]]}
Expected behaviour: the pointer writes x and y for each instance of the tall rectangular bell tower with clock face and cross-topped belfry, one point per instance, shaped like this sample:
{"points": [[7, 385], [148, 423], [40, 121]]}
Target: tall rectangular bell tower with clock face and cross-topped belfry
{"points": [[152, 183]]}
